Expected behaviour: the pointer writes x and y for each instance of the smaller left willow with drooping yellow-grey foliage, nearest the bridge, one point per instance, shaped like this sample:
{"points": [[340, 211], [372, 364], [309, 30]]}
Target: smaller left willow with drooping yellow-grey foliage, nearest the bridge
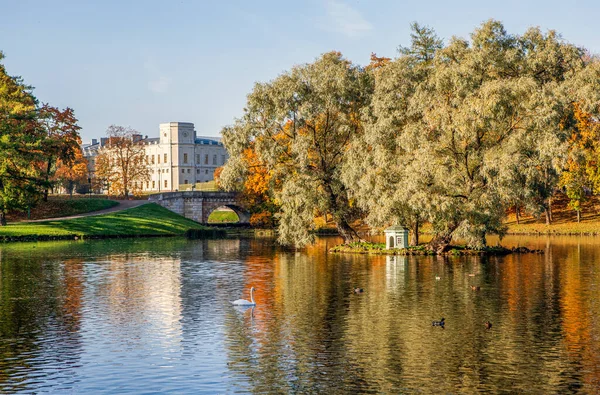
{"points": [[300, 126]]}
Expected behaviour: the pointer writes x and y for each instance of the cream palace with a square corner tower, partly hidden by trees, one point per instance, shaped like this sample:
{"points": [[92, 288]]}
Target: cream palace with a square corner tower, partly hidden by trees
{"points": [[177, 158]]}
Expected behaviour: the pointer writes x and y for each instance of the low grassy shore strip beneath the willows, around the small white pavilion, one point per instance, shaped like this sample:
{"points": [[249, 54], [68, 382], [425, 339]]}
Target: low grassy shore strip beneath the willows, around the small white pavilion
{"points": [[379, 249]]}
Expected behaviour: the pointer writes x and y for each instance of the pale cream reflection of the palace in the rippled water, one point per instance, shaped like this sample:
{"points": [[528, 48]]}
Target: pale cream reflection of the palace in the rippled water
{"points": [[144, 297]]}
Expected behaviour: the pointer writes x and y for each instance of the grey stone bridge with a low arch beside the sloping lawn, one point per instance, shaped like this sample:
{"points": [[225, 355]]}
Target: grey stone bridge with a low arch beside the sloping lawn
{"points": [[197, 205]]}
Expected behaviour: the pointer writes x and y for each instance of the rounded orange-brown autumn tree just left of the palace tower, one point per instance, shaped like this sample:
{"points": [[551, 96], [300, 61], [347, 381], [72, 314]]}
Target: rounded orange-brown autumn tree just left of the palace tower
{"points": [[121, 164]]}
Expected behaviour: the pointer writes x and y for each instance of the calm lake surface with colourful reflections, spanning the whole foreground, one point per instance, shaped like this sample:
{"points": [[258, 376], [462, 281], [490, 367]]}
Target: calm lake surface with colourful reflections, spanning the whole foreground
{"points": [[154, 316]]}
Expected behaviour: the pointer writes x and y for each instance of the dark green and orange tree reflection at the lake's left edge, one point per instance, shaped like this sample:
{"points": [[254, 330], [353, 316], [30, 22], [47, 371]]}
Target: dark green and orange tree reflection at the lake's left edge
{"points": [[40, 315]]}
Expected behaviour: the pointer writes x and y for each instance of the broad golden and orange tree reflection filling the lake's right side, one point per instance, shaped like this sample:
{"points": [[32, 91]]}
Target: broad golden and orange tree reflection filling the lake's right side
{"points": [[313, 335]]}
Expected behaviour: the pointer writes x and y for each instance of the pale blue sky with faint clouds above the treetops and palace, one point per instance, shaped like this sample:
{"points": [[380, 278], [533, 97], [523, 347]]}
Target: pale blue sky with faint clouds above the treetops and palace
{"points": [[140, 63]]}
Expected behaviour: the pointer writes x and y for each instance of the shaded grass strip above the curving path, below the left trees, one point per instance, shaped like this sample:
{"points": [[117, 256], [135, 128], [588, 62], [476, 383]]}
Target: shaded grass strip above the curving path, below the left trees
{"points": [[62, 207]]}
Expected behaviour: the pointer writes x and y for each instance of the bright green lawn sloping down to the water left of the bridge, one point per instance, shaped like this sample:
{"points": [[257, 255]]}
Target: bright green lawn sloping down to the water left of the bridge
{"points": [[143, 221]]}
